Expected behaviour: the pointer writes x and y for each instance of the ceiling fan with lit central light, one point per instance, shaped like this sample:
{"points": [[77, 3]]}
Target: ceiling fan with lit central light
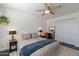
{"points": [[49, 9]]}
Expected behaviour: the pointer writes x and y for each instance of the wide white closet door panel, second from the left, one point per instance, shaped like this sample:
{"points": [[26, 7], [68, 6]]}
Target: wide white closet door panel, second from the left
{"points": [[69, 31]]}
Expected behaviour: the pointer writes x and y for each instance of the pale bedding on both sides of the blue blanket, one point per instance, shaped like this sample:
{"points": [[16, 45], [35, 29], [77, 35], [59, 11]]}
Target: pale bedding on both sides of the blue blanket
{"points": [[48, 50]]}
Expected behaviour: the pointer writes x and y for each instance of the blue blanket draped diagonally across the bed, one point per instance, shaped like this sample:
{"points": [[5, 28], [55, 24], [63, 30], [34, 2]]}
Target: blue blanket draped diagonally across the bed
{"points": [[29, 49]]}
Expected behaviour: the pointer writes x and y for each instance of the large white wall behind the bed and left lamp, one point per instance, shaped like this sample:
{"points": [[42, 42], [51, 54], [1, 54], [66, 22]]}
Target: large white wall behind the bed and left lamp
{"points": [[23, 23]]}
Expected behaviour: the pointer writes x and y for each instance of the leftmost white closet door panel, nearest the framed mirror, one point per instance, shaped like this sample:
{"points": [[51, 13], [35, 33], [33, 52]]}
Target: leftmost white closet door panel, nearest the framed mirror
{"points": [[59, 31]]}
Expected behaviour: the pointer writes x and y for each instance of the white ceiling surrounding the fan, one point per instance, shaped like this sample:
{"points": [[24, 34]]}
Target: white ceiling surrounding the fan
{"points": [[29, 8]]}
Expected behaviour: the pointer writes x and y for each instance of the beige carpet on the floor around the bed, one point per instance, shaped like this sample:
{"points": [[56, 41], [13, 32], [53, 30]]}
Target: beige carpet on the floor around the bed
{"points": [[63, 51]]}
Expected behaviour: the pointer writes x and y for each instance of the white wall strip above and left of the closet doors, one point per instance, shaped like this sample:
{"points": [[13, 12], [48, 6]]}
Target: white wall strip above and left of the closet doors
{"points": [[52, 21]]}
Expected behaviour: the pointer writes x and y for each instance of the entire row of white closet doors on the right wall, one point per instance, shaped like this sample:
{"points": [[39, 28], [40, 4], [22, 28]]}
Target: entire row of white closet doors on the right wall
{"points": [[68, 31]]}
